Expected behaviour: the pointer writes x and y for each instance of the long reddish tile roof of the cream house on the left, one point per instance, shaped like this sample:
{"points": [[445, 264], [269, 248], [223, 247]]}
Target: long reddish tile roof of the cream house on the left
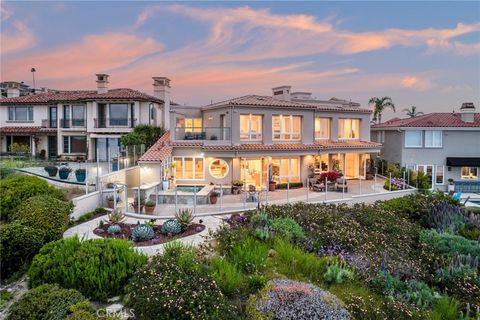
{"points": [[54, 96]]}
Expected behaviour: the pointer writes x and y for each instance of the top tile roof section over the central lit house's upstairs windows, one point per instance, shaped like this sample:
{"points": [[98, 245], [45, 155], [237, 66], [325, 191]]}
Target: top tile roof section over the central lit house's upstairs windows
{"points": [[260, 101]]}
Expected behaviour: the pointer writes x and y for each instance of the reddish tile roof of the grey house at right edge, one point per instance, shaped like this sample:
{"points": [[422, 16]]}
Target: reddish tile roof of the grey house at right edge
{"points": [[440, 120]]}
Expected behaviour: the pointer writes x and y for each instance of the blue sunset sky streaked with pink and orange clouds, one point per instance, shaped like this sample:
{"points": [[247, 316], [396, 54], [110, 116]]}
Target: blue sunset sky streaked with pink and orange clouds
{"points": [[425, 54]]}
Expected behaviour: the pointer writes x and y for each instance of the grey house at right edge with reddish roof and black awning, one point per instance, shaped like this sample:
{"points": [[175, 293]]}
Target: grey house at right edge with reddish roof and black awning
{"points": [[443, 145]]}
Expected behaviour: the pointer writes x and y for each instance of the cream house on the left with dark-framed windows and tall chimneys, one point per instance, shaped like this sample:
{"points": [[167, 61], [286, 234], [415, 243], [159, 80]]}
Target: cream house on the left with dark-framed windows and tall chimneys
{"points": [[80, 124]]}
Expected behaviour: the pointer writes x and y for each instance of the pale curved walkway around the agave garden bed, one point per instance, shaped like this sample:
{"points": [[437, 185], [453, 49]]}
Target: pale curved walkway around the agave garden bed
{"points": [[85, 231]]}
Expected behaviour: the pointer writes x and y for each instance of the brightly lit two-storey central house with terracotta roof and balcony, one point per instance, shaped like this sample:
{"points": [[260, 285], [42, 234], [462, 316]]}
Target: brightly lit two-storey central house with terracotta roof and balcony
{"points": [[287, 136]]}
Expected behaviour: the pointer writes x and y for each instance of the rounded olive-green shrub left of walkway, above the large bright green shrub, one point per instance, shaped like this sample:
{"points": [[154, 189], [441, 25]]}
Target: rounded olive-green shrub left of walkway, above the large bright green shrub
{"points": [[45, 213]]}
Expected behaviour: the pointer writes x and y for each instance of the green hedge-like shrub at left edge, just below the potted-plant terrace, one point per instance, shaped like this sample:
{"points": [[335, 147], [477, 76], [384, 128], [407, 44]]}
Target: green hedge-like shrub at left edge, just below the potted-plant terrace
{"points": [[15, 189]]}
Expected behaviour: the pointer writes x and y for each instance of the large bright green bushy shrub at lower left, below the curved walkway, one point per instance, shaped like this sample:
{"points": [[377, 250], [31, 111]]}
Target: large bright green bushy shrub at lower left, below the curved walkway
{"points": [[98, 268]]}
